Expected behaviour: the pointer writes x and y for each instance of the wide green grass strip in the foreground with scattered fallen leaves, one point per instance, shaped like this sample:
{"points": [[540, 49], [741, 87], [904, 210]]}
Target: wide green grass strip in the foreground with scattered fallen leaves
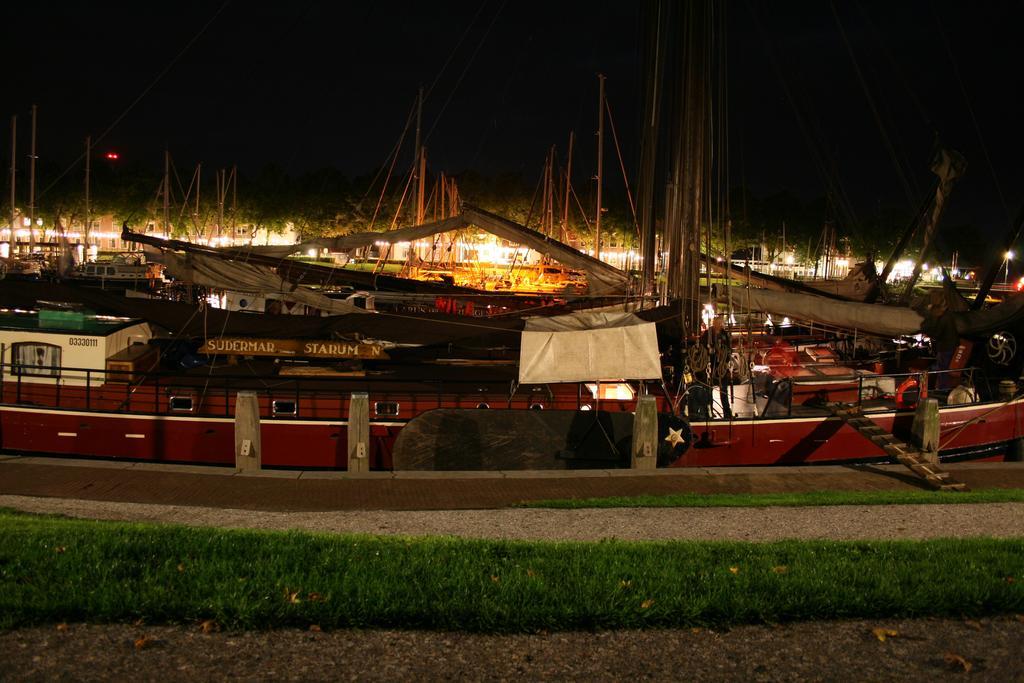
{"points": [[57, 570]]}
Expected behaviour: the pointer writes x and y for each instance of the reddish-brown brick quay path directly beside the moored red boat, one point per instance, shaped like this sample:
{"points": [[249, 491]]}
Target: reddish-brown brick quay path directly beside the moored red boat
{"points": [[293, 491]]}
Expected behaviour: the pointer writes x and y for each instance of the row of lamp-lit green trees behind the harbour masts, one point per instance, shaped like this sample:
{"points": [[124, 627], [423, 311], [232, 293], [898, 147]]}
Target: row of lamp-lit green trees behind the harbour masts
{"points": [[327, 202]]}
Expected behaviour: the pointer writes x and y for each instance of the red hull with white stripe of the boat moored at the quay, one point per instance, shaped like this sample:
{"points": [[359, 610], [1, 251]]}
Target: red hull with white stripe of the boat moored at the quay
{"points": [[320, 439]]}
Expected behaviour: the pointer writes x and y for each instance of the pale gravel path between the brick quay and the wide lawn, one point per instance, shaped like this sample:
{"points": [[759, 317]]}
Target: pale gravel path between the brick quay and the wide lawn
{"points": [[755, 525]]}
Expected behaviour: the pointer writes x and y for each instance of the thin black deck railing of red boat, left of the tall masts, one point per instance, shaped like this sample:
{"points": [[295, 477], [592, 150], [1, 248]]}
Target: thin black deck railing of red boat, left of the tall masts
{"points": [[281, 397]]}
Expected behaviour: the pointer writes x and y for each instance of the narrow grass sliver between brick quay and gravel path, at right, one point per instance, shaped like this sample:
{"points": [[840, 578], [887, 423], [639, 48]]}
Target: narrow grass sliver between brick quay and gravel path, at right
{"points": [[790, 500]]}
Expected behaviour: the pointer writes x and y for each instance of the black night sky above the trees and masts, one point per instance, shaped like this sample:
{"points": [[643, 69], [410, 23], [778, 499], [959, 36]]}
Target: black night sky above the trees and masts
{"points": [[307, 84]]}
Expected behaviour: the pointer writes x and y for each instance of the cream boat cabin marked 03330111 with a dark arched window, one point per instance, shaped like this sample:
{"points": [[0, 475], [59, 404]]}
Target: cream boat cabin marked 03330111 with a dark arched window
{"points": [[71, 348]]}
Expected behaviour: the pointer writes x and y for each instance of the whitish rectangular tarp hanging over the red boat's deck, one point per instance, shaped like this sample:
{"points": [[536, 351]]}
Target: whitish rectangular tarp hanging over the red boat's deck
{"points": [[628, 353]]}
